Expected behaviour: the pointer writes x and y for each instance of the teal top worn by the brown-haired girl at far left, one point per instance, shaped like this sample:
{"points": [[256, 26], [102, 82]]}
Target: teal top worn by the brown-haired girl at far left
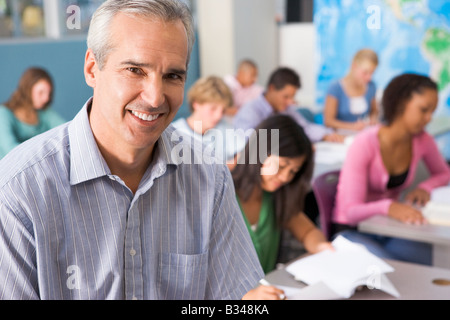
{"points": [[13, 132]]}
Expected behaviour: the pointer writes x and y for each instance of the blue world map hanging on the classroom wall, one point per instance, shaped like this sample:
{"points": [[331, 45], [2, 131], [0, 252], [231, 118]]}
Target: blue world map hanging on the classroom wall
{"points": [[408, 36]]}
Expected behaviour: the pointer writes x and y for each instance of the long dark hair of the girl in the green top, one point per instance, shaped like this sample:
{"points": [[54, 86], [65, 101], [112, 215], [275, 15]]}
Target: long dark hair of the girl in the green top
{"points": [[293, 142]]}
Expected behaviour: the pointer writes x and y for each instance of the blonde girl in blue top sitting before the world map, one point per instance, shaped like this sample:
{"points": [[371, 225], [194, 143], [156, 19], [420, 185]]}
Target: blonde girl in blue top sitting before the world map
{"points": [[350, 102]]}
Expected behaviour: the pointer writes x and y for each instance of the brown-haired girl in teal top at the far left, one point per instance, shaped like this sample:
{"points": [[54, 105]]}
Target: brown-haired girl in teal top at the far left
{"points": [[27, 113]]}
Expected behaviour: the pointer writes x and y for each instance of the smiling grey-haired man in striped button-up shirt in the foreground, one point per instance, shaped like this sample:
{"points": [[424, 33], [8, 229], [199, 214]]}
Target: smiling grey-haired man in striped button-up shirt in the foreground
{"points": [[97, 208]]}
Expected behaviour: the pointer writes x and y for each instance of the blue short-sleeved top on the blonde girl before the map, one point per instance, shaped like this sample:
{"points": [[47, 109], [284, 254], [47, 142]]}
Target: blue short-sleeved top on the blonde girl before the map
{"points": [[344, 109]]}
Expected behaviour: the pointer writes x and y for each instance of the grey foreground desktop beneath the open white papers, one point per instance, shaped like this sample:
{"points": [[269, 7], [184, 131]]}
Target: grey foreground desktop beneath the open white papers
{"points": [[413, 282]]}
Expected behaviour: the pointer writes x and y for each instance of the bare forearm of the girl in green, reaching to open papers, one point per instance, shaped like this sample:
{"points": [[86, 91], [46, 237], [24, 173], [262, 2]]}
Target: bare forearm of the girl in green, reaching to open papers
{"points": [[308, 234]]}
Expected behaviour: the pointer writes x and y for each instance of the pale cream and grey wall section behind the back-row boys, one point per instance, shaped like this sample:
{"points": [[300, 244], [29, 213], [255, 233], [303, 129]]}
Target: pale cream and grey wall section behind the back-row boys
{"points": [[230, 30]]}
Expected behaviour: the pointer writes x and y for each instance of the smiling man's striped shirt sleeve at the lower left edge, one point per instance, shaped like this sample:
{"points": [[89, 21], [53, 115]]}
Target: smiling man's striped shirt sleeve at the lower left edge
{"points": [[18, 272]]}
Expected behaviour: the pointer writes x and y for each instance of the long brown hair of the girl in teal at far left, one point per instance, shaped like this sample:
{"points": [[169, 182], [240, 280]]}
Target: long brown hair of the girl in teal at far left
{"points": [[22, 95]]}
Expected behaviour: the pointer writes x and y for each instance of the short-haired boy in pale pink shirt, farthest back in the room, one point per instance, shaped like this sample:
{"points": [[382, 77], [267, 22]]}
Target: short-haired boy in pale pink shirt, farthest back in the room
{"points": [[243, 84]]}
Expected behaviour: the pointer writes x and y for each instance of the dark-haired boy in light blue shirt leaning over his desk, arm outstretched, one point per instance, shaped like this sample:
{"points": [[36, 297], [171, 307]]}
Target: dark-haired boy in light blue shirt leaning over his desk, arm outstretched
{"points": [[279, 98]]}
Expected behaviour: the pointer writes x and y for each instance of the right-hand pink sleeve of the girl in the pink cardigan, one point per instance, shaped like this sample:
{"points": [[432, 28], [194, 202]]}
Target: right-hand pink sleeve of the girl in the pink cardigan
{"points": [[436, 164]]}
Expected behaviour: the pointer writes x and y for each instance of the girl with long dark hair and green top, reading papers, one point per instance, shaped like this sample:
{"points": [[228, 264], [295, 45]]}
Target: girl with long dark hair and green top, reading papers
{"points": [[271, 188]]}
